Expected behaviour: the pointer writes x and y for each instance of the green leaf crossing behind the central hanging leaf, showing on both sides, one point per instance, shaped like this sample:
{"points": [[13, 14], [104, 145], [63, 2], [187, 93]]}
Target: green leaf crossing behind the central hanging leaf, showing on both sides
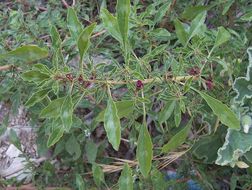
{"points": [[124, 109]]}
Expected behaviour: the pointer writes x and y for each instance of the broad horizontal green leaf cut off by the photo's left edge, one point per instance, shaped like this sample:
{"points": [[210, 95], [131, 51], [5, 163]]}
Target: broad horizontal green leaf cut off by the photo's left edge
{"points": [[26, 53]]}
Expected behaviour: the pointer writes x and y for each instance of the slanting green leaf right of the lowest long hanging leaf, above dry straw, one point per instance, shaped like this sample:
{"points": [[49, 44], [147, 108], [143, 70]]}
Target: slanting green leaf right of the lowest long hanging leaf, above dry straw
{"points": [[177, 139]]}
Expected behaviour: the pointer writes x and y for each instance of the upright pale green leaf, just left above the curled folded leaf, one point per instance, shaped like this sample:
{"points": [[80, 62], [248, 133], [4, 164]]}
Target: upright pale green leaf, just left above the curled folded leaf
{"points": [[73, 23]]}
